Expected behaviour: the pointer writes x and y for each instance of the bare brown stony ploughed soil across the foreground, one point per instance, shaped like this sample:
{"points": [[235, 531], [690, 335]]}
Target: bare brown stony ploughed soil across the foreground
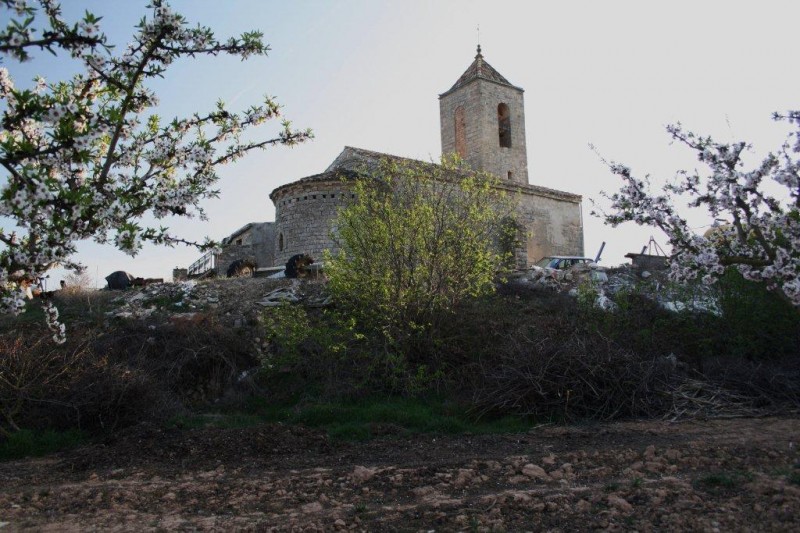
{"points": [[700, 475]]}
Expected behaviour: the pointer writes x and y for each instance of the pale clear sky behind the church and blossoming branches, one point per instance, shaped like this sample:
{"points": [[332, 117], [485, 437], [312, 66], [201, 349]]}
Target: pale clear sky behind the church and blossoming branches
{"points": [[367, 73]]}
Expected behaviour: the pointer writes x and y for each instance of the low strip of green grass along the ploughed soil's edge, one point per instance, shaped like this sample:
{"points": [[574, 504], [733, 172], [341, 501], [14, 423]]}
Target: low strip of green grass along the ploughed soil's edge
{"points": [[360, 421]]}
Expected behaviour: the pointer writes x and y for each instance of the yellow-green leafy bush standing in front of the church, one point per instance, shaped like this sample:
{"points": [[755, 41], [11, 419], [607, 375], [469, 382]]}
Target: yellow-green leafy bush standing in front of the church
{"points": [[418, 239]]}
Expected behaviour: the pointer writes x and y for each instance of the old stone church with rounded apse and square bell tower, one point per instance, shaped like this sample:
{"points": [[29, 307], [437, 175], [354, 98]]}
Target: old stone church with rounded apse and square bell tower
{"points": [[482, 119]]}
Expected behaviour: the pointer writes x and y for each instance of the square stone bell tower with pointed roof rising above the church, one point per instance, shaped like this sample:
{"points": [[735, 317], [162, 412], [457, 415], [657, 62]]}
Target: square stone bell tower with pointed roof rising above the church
{"points": [[483, 120]]}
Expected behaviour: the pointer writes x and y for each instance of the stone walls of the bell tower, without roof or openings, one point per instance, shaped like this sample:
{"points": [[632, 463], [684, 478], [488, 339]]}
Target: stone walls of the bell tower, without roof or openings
{"points": [[479, 100]]}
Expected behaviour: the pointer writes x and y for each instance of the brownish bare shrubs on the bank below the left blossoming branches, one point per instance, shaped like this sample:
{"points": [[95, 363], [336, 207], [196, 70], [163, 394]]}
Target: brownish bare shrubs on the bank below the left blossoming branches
{"points": [[104, 380]]}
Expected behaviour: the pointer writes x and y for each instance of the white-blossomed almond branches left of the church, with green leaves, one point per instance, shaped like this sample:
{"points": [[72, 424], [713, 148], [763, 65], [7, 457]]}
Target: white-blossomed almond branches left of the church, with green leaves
{"points": [[86, 158]]}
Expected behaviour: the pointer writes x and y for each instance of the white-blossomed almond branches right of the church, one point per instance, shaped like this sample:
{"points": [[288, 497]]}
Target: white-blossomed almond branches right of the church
{"points": [[762, 235]]}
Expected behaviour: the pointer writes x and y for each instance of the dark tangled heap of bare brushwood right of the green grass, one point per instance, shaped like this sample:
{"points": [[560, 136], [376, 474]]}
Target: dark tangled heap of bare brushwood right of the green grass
{"points": [[569, 375]]}
